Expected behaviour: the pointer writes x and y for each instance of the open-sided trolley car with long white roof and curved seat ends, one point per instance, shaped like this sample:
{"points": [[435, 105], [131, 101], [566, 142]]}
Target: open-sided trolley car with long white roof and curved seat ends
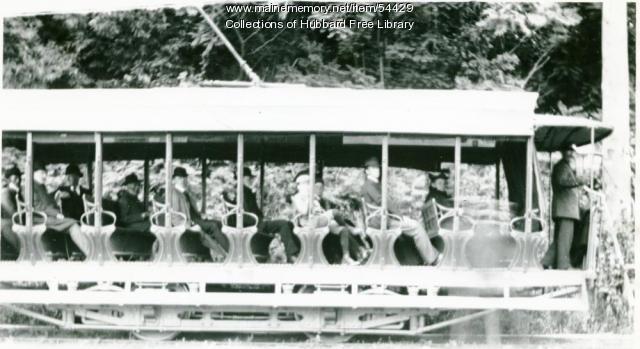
{"points": [[170, 292]]}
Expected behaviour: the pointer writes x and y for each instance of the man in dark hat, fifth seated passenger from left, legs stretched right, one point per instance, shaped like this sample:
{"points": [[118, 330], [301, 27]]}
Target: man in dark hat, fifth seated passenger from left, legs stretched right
{"points": [[182, 201]]}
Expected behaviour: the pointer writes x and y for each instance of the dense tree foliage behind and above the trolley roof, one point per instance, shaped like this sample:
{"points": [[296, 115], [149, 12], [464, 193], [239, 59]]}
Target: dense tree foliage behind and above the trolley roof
{"points": [[553, 49]]}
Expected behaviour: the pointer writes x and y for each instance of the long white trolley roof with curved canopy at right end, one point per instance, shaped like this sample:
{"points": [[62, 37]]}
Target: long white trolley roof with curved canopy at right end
{"points": [[319, 110]]}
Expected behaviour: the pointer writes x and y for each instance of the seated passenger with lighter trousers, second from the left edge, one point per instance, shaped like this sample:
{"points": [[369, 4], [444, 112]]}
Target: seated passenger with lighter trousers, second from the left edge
{"points": [[56, 221]]}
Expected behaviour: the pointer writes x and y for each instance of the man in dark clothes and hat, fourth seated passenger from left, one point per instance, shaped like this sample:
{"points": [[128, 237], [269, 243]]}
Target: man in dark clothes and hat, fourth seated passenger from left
{"points": [[132, 213]]}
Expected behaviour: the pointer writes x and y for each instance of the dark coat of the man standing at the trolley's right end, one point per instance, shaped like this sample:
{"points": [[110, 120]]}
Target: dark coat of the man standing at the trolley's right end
{"points": [[566, 192]]}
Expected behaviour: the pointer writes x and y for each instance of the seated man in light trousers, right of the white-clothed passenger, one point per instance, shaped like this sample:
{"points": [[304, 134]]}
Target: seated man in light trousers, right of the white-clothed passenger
{"points": [[372, 194]]}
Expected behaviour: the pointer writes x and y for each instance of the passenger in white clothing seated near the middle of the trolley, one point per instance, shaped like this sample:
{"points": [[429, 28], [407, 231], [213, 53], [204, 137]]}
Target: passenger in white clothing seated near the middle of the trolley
{"points": [[351, 251]]}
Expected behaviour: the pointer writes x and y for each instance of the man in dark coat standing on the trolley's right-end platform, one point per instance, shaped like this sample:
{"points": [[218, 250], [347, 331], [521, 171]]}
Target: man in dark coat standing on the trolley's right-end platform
{"points": [[565, 210]]}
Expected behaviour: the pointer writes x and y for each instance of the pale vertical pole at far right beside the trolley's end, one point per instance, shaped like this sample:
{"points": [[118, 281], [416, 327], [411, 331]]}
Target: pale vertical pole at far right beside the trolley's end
{"points": [[615, 108]]}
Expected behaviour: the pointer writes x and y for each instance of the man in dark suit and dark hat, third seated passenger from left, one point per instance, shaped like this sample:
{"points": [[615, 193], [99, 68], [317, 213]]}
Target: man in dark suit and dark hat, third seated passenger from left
{"points": [[70, 195]]}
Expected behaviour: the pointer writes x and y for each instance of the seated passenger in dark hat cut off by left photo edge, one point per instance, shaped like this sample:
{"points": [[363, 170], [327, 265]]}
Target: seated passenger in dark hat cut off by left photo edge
{"points": [[10, 188]]}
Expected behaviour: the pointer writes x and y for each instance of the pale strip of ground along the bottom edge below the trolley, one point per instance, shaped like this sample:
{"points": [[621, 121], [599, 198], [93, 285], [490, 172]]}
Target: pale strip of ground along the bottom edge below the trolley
{"points": [[71, 341]]}
